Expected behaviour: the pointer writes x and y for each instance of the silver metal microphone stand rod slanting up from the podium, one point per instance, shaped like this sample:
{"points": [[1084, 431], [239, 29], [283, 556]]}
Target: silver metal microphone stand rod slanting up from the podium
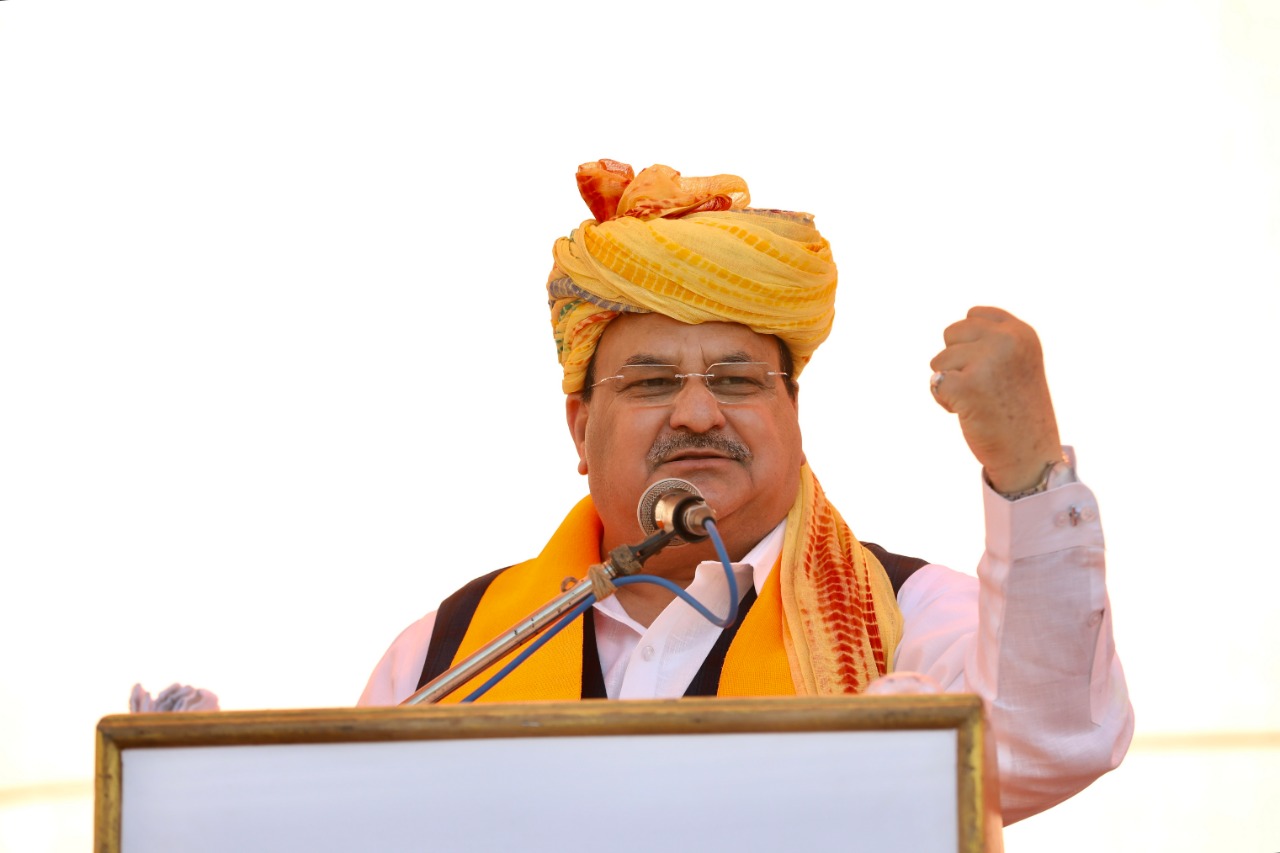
{"points": [[624, 560]]}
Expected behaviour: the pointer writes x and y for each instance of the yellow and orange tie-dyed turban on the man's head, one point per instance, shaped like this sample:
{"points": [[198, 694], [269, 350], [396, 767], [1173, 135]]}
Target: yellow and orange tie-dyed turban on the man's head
{"points": [[689, 249]]}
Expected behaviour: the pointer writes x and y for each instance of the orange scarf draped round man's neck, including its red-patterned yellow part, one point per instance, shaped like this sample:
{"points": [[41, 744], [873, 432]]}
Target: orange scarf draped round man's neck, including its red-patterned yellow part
{"points": [[825, 624]]}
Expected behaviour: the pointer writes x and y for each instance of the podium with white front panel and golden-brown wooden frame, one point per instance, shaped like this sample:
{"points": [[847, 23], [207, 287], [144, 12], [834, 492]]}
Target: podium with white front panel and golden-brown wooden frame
{"points": [[766, 774]]}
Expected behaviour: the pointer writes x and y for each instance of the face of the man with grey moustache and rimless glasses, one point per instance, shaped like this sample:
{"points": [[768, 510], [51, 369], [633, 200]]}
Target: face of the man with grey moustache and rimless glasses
{"points": [[744, 458]]}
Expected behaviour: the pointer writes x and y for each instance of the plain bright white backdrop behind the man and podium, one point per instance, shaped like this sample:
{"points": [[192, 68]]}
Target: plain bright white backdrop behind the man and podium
{"points": [[277, 371]]}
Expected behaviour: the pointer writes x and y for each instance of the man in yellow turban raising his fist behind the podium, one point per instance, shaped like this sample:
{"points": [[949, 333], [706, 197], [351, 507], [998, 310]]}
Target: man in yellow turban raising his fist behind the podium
{"points": [[683, 320]]}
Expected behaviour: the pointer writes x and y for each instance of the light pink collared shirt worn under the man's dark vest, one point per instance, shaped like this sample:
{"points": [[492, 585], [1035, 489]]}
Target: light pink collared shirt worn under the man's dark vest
{"points": [[1031, 635]]}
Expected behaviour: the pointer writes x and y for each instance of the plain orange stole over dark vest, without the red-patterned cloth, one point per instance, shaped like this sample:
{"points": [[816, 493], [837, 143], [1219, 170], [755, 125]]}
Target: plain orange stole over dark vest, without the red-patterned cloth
{"points": [[756, 664]]}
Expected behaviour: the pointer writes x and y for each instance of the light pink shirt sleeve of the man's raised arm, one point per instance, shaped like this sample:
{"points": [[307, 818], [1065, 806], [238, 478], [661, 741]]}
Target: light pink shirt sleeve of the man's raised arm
{"points": [[1032, 636]]}
